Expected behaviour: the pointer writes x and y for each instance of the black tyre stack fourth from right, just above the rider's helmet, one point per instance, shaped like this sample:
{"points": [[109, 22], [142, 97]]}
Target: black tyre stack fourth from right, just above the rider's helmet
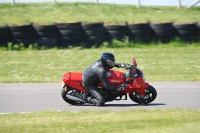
{"points": [[116, 32]]}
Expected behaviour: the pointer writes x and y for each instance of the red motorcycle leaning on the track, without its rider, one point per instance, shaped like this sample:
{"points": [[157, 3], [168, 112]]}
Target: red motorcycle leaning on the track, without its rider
{"points": [[138, 90]]}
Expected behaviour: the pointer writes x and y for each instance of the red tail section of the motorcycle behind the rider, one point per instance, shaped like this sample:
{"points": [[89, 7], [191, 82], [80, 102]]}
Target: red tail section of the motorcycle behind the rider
{"points": [[74, 79]]}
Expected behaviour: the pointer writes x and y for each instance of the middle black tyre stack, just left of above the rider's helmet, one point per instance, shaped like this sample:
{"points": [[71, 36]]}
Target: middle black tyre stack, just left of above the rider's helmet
{"points": [[93, 34]]}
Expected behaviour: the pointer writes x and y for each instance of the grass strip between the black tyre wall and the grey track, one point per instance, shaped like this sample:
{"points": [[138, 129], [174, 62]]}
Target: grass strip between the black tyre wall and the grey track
{"points": [[158, 62]]}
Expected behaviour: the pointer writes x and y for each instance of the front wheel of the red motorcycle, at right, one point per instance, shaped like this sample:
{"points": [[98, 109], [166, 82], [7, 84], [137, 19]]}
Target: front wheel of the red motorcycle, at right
{"points": [[150, 95]]}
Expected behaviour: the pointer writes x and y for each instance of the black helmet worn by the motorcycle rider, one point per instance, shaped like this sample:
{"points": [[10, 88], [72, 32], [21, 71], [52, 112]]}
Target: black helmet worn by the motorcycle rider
{"points": [[108, 60]]}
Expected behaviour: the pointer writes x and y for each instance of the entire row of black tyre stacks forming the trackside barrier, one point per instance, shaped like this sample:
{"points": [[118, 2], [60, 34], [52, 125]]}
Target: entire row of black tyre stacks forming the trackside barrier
{"points": [[93, 34]]}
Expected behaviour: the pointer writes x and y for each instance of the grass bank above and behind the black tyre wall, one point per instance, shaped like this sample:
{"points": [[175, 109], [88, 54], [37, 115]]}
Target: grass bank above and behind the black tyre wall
{"points": [[48, 13]]}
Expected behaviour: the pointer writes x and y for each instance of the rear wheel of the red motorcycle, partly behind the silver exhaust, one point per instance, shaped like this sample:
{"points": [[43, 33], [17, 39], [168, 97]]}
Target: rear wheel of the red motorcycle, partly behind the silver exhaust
{"points": [[70, 91]]}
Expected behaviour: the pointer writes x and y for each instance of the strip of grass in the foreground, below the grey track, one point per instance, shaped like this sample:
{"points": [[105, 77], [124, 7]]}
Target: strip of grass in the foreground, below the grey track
{"points": [[129, 121]]}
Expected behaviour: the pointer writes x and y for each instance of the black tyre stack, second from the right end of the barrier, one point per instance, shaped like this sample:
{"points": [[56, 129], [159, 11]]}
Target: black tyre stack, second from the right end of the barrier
{"points": [[163, 32]]}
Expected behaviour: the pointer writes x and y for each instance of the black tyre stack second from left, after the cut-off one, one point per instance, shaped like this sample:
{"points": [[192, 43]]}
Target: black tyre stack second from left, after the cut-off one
{"points": [[21, 34]]}
